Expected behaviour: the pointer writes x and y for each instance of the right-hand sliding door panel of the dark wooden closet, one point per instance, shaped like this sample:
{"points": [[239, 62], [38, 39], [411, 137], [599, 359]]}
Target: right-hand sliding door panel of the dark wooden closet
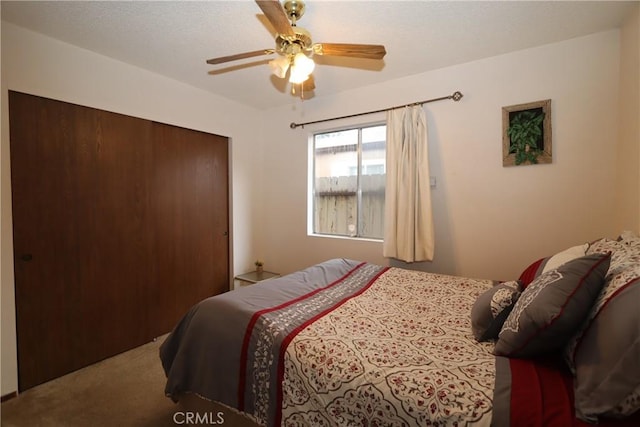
{"points": [[191, 209]]}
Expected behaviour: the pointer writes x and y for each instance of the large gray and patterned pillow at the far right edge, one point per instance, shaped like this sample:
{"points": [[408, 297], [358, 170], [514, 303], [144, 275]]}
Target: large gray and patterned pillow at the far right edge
{"points": [[604, 355]]}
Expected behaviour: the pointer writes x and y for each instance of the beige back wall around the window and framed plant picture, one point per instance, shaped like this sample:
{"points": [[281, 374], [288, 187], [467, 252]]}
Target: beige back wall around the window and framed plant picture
{"points": [[490, 220]]}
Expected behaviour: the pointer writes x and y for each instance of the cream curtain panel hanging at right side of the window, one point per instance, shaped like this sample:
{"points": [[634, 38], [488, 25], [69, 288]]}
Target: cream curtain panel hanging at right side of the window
{"points": [[408, 222]]}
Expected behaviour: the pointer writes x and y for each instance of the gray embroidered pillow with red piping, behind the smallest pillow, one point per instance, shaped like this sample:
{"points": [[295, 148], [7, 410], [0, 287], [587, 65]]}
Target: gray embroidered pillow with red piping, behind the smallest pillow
{"points": [[552, 308]]}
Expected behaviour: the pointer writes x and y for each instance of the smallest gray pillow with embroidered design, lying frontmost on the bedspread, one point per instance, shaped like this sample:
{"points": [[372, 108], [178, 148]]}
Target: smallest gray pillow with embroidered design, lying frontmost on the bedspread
{"points": [[491, 309]]}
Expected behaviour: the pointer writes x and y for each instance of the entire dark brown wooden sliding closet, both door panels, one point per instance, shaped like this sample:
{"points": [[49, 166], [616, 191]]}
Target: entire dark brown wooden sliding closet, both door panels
{"points": [[111, 233]]}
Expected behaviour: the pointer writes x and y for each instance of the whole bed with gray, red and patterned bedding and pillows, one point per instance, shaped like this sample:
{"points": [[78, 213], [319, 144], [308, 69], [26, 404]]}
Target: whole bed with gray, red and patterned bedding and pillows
{"points": [[346, 342]]}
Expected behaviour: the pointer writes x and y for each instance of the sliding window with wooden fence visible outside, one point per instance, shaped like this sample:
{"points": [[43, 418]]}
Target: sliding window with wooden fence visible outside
{"points": [[348, 182]]}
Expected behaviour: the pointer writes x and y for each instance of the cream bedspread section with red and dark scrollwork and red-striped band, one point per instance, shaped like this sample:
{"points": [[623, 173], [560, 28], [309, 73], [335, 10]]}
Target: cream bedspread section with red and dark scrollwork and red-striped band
{"points": [[382, 346]]}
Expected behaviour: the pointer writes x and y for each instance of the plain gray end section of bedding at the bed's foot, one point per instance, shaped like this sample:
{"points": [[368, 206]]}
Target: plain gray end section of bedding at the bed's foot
{"points": [[203, 353]]}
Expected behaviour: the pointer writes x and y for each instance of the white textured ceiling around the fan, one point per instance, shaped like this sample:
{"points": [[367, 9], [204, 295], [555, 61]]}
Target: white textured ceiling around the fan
{"points": [[174, 38]]}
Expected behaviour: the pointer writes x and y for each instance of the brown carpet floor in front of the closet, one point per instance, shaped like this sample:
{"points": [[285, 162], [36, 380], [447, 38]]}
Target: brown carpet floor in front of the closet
{"points": [[125, 390]]}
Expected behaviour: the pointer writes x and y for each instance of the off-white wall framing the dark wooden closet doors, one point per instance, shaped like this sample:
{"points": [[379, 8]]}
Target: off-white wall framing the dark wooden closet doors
{"points": [[42, 66]]}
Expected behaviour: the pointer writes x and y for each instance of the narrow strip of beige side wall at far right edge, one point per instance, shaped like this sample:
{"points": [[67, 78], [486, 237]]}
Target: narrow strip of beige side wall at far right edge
{"points": [[628, 171]]}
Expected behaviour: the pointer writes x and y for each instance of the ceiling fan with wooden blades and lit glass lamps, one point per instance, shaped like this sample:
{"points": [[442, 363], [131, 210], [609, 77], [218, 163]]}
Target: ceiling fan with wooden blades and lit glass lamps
{"points": [[295, 47]]}
